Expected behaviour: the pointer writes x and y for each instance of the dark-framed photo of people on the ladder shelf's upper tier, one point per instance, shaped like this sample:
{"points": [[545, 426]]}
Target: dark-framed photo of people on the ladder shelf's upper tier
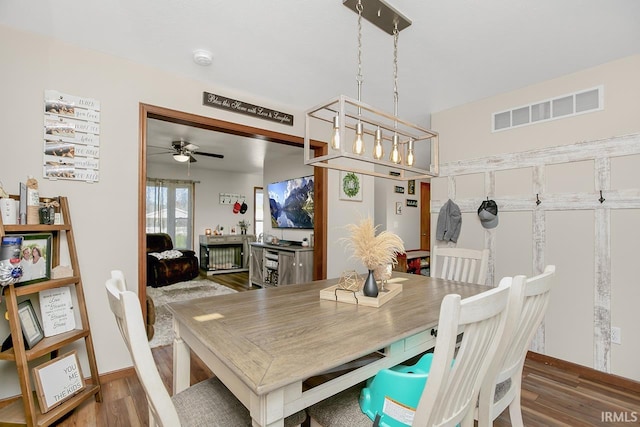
{"points": [[35, 257]]}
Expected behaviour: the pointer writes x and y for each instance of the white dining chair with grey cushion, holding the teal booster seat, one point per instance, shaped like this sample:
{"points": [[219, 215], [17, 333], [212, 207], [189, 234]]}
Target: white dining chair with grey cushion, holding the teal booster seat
{"points": [[451, 391]]}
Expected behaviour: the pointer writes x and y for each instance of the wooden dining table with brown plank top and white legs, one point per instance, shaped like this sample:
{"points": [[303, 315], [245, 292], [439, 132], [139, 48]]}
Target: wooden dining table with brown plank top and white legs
{"points": [[264, 344]]}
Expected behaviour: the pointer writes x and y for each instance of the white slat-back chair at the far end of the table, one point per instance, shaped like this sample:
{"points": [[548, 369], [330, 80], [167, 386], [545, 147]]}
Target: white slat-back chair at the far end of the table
{"points": [[459, 264]]}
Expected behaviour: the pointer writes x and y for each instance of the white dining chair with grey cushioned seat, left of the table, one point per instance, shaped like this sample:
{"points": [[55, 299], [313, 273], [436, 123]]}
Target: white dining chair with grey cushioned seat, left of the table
{"points": [[207, 403]]}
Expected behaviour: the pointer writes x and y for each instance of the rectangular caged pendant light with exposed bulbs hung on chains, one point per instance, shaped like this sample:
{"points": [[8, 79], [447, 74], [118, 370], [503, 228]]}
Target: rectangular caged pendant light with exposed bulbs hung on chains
{"points": [[413, 150]]}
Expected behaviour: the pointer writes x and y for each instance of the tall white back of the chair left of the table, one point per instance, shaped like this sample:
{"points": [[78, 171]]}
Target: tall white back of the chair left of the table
{"points": [[126, 308]]}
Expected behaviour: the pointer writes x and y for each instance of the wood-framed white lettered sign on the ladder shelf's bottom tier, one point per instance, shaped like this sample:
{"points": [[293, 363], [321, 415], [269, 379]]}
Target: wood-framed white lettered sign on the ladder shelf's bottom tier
{"points": [[57, 380]]}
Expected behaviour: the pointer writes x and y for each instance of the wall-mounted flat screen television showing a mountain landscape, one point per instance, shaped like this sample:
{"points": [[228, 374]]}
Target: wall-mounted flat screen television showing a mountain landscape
{"points": [[291, 203]]}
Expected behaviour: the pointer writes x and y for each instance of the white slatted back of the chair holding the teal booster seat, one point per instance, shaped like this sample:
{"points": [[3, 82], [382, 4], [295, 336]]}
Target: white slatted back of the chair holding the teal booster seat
{"points": [[451, 392]]}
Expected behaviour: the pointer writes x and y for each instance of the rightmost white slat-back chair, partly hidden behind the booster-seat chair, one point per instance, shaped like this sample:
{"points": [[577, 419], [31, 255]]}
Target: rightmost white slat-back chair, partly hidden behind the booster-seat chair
{"points": [[503, 382]]}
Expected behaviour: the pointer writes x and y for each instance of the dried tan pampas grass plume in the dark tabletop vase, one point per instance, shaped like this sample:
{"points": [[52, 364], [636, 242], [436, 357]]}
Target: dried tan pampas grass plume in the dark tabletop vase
{"points": [[372, 250]]}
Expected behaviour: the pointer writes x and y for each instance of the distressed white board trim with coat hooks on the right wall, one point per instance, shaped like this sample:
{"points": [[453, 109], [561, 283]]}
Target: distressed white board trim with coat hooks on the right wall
{"points": [[601, 202]]}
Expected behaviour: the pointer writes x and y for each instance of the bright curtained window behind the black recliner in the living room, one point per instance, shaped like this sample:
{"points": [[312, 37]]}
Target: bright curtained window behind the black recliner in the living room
{"points": [[170, 210]]}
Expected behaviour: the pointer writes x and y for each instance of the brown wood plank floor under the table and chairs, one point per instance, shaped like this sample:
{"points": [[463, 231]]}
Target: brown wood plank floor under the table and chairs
{"points": [[551, 395]]}
